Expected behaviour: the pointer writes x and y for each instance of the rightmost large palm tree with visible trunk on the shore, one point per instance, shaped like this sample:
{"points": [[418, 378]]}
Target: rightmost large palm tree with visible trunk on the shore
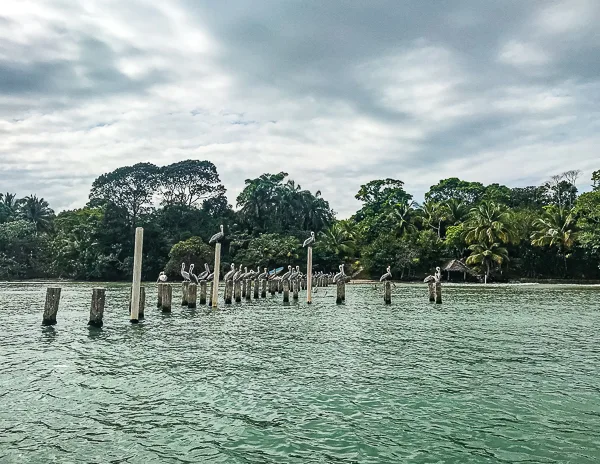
{"points": [[556, 228]]}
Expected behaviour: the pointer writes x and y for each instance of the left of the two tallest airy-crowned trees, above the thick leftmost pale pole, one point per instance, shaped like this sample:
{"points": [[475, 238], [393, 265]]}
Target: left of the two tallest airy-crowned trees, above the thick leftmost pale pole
{"points": [[130, 188]]}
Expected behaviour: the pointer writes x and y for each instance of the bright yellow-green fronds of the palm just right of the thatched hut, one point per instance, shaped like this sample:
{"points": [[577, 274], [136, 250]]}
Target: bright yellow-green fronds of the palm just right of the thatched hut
{"points": [[490, 223]]}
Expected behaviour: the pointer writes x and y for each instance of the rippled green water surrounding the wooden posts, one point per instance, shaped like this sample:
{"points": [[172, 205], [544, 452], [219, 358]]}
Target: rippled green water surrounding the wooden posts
{"points": [[496, 374]]}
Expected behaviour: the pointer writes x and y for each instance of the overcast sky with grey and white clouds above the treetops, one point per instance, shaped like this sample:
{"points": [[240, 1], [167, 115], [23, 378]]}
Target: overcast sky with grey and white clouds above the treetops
{"points": [[334, 93]]}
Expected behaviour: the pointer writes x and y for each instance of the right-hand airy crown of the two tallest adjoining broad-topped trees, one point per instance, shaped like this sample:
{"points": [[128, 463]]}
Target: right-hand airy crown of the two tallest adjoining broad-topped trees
{"points": [[189, 182]]}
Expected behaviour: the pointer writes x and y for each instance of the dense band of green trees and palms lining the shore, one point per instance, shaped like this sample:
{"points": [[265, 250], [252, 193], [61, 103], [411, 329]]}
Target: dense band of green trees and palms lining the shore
{"points": [[545, 231]]}
